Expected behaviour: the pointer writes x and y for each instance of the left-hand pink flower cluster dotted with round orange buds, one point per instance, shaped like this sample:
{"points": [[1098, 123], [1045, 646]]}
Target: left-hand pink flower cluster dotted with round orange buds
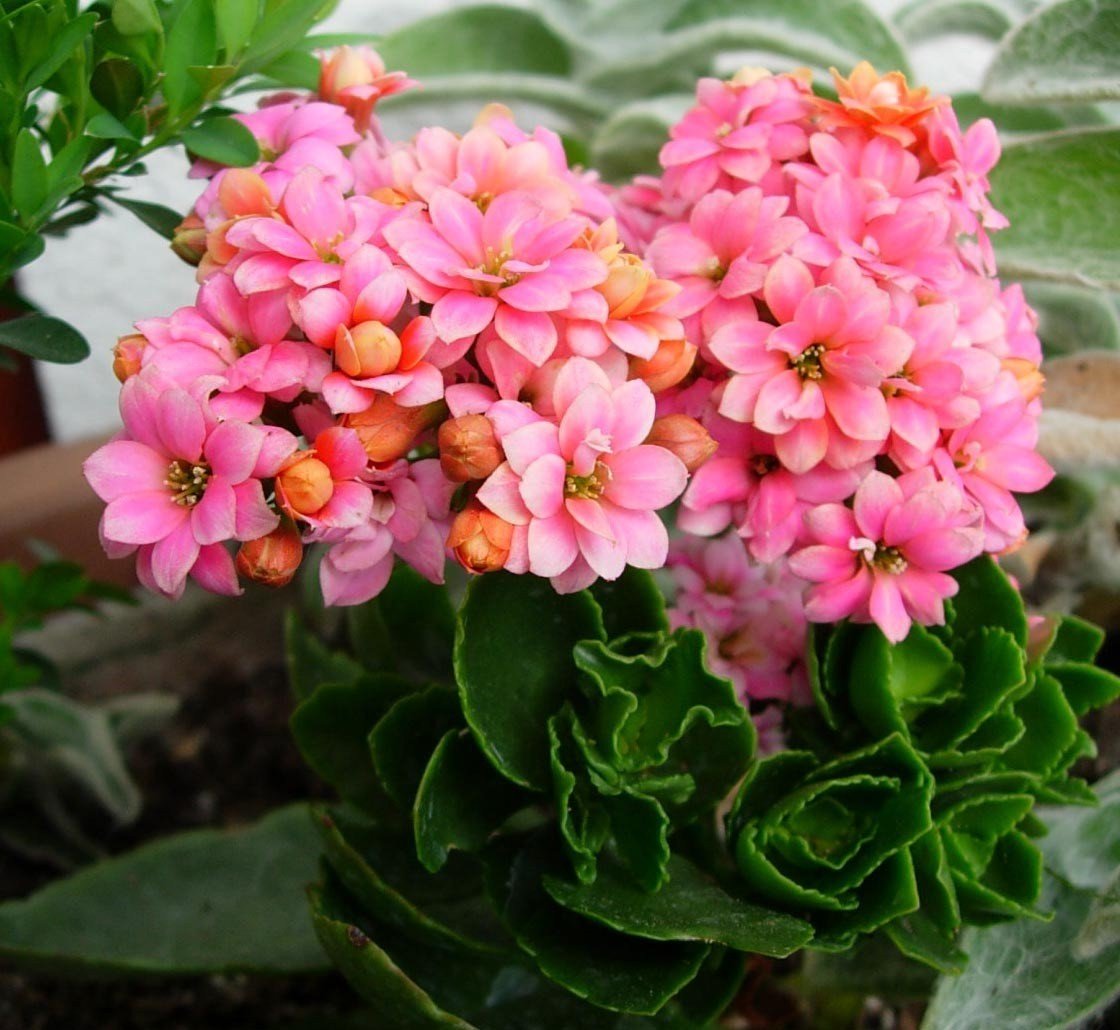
{"points": [[398, 350]]}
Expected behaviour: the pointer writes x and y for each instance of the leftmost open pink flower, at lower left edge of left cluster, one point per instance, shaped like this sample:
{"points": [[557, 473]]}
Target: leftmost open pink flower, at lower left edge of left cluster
{"points": [[182, 482]]}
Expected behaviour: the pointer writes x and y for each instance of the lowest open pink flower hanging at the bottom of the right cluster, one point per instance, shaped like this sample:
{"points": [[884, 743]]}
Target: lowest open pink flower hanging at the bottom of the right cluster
{"points": [[885, 559]]}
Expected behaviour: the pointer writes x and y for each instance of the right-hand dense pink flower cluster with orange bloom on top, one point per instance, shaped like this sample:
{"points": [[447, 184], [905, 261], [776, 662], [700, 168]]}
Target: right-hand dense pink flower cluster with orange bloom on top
{"points": [[872, 386]]}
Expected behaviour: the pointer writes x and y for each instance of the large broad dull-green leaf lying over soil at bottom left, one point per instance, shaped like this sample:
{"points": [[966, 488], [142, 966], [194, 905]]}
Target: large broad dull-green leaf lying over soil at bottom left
{"points": [[204, 902]]}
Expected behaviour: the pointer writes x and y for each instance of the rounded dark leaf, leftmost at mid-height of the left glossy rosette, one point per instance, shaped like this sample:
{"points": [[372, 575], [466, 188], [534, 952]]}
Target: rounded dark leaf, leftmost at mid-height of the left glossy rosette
{"points": [[332, 729]]}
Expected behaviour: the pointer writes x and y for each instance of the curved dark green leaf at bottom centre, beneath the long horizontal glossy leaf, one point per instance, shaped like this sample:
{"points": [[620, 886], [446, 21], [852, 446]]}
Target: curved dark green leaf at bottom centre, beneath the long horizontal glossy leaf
{"points": [[603, 967]]}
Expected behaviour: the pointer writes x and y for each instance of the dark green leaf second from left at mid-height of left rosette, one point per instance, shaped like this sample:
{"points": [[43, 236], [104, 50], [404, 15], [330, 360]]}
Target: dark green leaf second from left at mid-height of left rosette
{"points": [[403, 742]]}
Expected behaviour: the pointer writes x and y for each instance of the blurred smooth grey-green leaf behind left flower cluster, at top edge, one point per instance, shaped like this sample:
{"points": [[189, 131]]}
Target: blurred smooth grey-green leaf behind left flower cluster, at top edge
{"points": [[483, 39]]}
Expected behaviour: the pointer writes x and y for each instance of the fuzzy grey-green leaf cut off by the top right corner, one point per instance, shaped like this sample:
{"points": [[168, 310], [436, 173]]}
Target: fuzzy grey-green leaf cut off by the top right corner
{"points": [[1066, 52]]}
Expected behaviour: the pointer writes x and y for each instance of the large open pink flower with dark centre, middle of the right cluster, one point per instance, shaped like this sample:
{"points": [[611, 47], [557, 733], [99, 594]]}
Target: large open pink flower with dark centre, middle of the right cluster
{"points": [[814, 382]]}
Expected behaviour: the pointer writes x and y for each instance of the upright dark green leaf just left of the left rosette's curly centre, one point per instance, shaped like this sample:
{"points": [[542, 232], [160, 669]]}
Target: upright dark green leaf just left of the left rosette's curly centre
{"points": [[462, 801]]}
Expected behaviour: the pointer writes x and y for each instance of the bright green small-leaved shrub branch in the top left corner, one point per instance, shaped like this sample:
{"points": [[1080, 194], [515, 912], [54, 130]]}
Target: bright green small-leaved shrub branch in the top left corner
{"points": [[88, 91]]}
